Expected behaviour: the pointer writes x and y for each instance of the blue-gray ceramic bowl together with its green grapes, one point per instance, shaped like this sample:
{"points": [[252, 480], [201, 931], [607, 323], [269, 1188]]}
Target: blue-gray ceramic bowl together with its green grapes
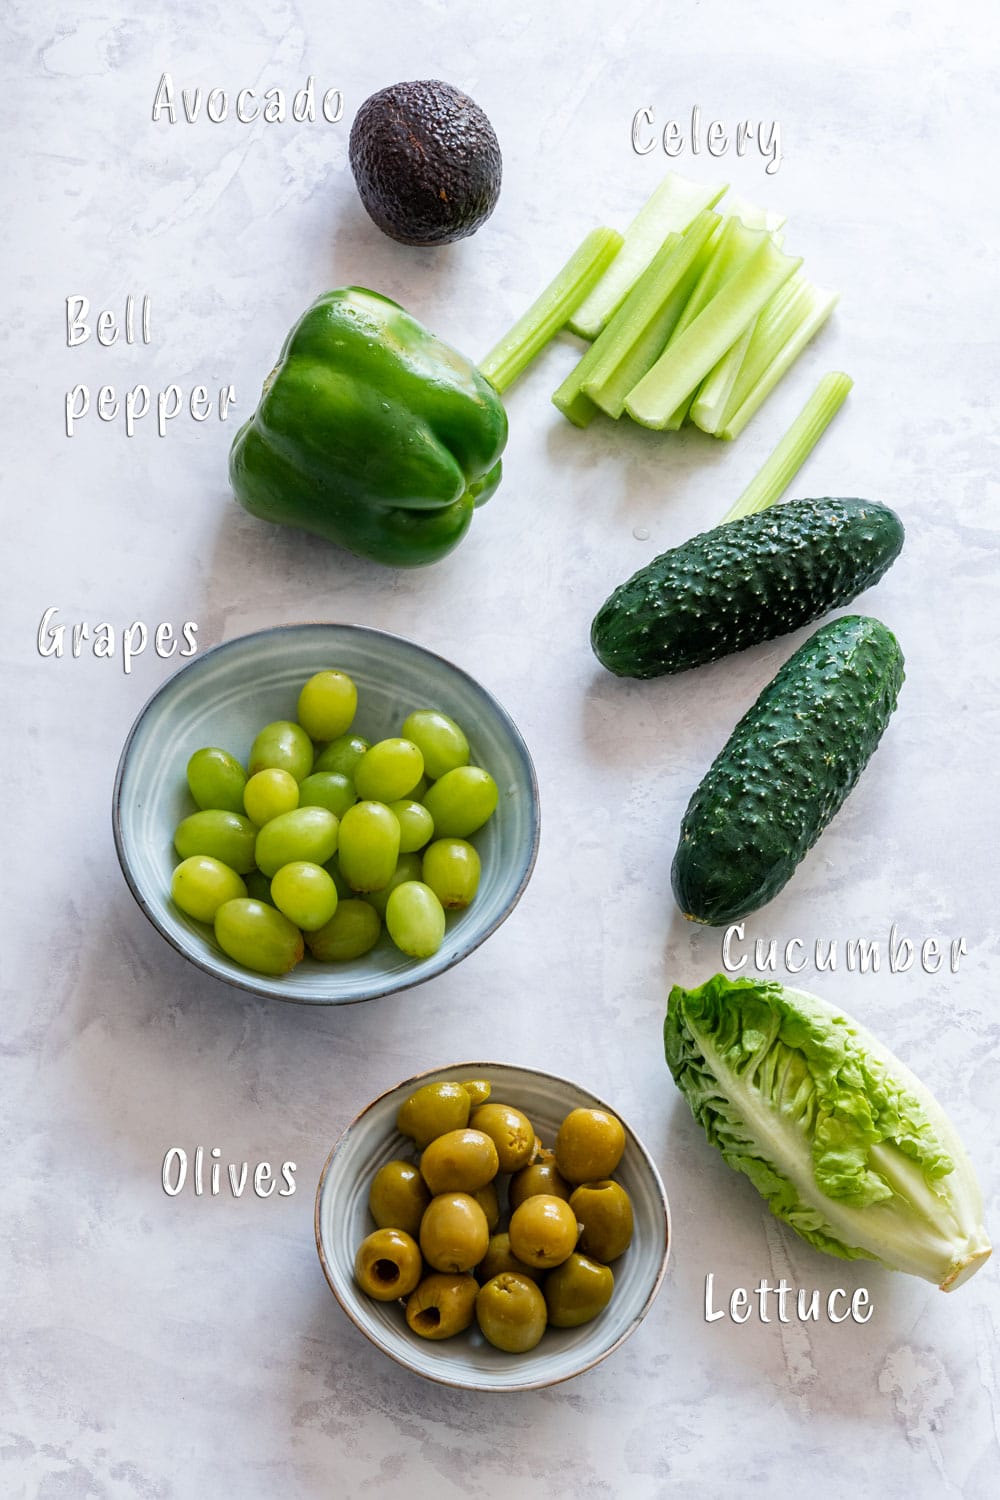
{"points": [[325, 814]]}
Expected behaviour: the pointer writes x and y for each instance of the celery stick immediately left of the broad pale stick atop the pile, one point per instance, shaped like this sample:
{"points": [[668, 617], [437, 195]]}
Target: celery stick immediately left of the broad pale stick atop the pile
{"points": [[636, 335]]}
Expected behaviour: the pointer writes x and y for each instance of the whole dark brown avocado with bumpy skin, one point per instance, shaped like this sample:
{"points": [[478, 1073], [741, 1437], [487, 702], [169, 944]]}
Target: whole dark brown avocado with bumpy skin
{"points": [[427, 163]]}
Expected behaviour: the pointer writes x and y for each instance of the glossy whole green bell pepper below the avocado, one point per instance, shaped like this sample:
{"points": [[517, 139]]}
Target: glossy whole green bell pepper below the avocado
{"points": [[371, 433]]}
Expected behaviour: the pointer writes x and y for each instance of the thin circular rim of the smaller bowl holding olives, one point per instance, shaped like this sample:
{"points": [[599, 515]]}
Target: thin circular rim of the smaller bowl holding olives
{"points": [[476, 1070]]}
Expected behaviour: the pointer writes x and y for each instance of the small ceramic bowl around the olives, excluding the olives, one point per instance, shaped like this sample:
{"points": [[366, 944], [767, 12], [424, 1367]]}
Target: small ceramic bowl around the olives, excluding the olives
{"points": [[467, 1361]]}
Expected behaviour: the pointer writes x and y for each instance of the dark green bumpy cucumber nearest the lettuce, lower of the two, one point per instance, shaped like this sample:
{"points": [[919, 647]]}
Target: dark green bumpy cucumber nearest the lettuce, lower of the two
{"points": [[786, 769]]}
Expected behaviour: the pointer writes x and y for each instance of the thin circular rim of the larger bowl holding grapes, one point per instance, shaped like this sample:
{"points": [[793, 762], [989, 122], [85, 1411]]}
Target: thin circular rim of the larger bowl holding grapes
{"points": [[265, 989]]}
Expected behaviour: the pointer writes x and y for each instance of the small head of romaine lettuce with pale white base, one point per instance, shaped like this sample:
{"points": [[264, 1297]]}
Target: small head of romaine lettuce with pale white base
{"points": [[831, 1129]]}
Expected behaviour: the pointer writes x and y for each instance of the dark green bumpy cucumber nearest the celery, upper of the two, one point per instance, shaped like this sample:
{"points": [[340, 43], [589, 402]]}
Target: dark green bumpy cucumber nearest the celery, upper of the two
{"points": [[744, 583]]}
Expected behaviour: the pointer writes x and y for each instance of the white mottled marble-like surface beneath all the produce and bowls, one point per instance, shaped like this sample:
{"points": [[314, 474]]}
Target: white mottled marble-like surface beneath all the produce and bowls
{"points": [[161, 1349]]}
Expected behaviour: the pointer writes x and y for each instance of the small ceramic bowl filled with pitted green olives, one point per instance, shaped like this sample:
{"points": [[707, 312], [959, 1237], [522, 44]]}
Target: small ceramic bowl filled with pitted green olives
{"points": [[493, 1228]]}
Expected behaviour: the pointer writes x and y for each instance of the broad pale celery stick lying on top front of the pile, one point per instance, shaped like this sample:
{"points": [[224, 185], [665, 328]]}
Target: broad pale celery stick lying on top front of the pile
{"points": [[692, 355]]}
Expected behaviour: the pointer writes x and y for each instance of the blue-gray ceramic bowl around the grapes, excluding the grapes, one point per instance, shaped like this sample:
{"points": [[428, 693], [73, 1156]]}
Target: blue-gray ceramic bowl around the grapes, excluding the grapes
{"points": [[224, 697]]}
